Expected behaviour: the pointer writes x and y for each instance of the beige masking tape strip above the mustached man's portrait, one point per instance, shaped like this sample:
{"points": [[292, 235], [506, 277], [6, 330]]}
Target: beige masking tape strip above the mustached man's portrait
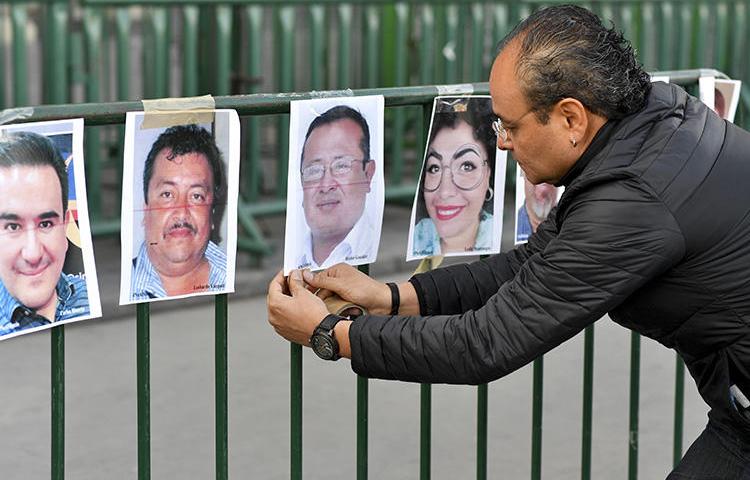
{"points": [[166, 112]]}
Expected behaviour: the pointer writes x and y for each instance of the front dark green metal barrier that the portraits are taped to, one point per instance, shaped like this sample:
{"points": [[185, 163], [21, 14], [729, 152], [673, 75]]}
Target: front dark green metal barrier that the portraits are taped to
{"points": [[254, 106]]}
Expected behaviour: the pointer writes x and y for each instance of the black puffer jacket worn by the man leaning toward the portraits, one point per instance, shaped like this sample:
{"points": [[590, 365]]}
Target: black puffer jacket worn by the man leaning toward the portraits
{"points": [[654, 228]]}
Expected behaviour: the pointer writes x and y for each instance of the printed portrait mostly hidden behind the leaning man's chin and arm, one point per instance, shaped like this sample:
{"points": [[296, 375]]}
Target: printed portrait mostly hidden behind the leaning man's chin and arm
{"points": [[533, 204]]}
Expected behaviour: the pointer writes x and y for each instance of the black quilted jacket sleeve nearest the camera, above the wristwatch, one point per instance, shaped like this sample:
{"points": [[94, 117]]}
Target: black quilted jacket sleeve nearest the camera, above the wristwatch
{"points": [[611, 242]]}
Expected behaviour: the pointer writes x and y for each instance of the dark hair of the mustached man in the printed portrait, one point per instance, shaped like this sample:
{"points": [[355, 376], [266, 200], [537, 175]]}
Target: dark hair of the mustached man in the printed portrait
{"points": [[185, 139]]}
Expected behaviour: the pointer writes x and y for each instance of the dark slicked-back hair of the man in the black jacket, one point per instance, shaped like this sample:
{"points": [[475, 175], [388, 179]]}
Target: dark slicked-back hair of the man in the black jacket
{"points": [[566, 51]]}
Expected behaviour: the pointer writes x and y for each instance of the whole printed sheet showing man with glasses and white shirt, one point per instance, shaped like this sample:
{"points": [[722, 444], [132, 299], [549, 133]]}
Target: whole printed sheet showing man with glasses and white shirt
{"points": [[335, 189]]}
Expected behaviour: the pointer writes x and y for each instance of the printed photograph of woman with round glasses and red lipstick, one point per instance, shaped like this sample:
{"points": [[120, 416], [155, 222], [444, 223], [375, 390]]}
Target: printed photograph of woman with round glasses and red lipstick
{"points": [[458, 206]]}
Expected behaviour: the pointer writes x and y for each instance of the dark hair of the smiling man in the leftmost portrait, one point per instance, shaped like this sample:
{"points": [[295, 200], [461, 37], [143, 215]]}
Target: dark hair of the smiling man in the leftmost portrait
{"points": [[34, 150]]}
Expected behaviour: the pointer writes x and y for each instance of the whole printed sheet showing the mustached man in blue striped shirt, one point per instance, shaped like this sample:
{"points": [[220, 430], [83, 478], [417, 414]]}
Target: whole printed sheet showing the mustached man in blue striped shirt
{"points": [[179, 207]]}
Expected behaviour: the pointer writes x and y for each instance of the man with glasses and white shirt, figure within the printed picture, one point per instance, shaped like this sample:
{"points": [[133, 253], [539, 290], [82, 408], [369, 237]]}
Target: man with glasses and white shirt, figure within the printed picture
{"points": [[337, 174]]}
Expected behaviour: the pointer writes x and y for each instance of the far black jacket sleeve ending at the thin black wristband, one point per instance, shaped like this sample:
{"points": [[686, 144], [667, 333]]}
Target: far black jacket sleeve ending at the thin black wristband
{"points": [[463, 287]]}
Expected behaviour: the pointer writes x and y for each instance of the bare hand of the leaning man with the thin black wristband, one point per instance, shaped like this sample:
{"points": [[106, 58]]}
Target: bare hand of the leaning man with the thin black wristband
{"points": [[351, 285]]}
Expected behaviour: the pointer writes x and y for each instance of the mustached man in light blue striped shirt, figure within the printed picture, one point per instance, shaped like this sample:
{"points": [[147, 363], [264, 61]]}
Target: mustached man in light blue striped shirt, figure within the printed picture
{"points": [[184, 192]]}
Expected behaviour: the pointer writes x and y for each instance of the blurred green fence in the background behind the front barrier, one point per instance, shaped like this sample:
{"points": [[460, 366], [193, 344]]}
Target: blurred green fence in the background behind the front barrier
{"points": [[118, 50]]}
